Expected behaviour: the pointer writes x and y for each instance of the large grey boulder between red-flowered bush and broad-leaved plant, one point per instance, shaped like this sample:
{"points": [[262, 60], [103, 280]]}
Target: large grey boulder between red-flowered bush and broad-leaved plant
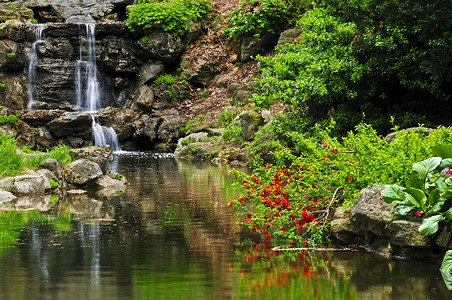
{"points": [[369, 213]]}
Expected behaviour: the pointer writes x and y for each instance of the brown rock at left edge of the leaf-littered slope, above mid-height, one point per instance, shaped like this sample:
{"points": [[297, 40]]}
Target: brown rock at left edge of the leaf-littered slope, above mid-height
{"points": [[197, 71]]}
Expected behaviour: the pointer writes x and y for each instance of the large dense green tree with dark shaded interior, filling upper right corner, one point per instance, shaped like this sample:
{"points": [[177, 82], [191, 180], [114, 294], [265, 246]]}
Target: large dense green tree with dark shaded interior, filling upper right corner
{"points": [[369, 57]]}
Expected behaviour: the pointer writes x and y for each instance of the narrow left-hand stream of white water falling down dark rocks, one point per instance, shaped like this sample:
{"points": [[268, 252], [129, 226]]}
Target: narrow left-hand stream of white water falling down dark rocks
{"points": [[33, 77]]}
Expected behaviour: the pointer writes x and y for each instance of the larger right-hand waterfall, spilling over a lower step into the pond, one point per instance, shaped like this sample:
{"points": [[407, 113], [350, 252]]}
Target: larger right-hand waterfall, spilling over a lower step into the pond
{"points": [[88, 91]]}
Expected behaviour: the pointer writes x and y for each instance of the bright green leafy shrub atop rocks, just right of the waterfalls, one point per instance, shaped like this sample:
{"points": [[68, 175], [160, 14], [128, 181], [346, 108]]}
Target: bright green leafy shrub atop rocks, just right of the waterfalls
{"points": [[170, 15]]}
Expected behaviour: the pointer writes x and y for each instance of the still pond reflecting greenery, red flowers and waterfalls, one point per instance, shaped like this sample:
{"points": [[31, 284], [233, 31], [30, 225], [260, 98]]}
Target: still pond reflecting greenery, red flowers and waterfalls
{"points": [[170, 235]]}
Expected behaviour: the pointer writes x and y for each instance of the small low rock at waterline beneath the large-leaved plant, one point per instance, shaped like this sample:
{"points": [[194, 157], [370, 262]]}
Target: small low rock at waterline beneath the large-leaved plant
{"points": [[406, 233]]}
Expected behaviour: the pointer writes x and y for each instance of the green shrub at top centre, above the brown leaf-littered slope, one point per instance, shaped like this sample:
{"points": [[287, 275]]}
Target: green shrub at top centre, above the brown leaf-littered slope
{"points": [[254, 16]]}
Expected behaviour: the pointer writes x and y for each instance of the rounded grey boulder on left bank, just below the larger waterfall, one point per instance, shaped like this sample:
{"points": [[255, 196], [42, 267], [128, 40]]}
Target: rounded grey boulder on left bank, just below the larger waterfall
{"points": [[82, 171]]}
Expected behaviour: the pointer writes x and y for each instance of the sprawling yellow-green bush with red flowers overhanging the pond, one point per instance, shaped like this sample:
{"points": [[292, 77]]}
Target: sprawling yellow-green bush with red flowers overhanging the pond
{"points": [[291, 198]]}
